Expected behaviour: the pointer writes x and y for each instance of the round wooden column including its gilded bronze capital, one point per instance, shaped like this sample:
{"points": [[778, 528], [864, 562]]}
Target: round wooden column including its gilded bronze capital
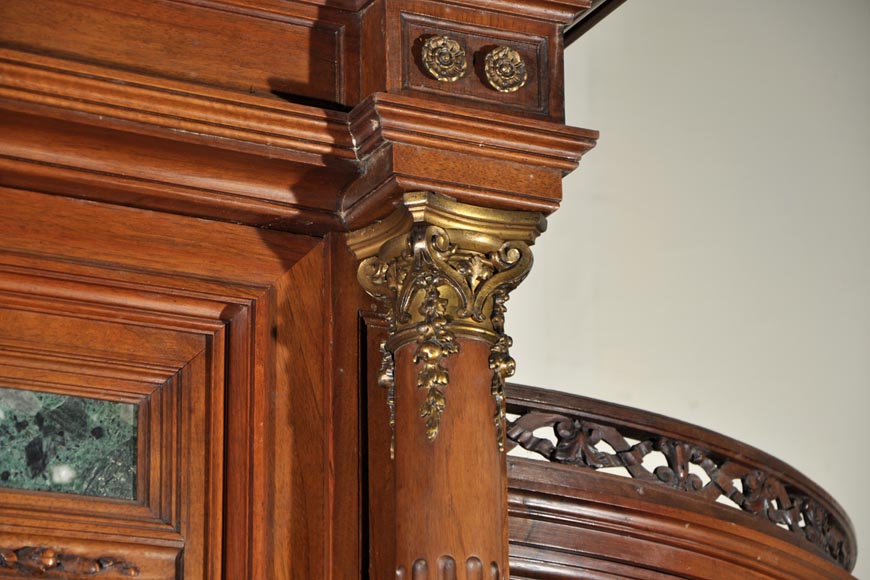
{"points": [[443, 271]]}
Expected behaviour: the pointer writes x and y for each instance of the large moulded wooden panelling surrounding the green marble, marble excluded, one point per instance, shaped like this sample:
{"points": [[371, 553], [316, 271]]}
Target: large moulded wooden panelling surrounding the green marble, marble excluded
{"points": [[179, 316]]}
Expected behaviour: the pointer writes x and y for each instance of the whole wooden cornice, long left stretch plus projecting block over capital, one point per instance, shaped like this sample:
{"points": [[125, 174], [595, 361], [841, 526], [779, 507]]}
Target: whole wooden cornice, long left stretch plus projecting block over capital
{"points": [[217, 154]]}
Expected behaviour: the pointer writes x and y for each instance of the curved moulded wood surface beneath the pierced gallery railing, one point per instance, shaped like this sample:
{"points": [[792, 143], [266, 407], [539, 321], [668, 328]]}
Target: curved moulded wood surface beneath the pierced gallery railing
{"points": [[566, 524]]}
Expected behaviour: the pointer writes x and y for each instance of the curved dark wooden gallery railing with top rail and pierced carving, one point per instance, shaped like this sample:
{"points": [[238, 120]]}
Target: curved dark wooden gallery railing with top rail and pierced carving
{"points": [[680, 465]]}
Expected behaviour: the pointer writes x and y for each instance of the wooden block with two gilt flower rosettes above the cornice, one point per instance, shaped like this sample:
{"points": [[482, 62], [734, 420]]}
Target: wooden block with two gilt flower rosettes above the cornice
{"points": [[478, 54]]}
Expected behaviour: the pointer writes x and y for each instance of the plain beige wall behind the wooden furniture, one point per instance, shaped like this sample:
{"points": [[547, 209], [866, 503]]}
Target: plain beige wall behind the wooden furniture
{"points": [[711, 260]]}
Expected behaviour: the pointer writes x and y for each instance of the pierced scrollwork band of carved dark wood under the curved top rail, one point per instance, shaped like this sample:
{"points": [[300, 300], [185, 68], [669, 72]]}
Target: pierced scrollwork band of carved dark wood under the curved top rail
{"points": [[752, 489]]}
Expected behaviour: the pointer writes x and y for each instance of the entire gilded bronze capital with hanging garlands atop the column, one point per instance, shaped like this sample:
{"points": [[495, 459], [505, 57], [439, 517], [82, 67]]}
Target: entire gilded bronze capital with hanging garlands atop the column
{"points": [[443, 270]]}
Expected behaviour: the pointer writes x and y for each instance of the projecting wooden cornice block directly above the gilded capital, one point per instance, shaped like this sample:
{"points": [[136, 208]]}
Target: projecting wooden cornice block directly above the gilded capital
{"points": [[407, 144]]}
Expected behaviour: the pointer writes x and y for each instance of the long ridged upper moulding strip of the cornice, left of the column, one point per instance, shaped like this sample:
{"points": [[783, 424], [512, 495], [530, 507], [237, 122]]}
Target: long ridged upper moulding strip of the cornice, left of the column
{"points": [[191, 112]]}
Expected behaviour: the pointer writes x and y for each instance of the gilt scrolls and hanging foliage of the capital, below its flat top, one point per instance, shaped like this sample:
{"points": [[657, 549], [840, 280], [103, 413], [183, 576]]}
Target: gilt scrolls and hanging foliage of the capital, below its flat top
{"points": [[437, 284]]}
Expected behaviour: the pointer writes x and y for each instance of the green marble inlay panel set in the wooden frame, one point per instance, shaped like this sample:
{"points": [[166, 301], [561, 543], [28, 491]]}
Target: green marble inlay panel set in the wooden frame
{"points": [[52, 442]]}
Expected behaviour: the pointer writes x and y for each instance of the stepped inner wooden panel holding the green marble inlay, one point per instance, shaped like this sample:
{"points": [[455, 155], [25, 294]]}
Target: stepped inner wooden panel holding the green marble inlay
{"points": [[81, 363]]}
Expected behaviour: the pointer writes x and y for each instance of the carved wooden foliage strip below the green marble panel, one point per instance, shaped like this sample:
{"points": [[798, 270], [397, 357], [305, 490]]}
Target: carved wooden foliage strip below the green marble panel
{"points": [[51, 563]]}
